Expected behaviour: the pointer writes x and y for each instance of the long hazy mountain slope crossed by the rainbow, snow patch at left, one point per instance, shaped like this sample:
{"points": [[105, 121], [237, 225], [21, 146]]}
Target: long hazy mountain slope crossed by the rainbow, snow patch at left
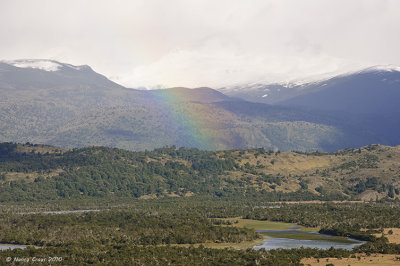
{"points": [[72, 106]]}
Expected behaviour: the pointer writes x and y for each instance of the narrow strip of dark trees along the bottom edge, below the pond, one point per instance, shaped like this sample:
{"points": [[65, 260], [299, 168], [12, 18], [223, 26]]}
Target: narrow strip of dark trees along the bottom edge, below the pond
{"points": [[149, 255]]}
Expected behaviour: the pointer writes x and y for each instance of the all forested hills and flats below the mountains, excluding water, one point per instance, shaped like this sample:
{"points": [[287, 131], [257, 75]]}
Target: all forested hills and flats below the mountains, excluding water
{"points": [[168, 206]]}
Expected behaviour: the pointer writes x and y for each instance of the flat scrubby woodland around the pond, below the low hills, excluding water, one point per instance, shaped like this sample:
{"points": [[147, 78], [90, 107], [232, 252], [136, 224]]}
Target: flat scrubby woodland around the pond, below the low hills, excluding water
{"points": [[145, 232]]}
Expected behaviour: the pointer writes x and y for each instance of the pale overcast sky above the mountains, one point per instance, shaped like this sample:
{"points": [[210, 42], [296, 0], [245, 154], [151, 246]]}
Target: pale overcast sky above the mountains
{"points": [[212, 43]]}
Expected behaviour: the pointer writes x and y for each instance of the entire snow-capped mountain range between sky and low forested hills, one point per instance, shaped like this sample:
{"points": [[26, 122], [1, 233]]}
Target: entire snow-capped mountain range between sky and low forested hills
{"points": [[45, 101]]}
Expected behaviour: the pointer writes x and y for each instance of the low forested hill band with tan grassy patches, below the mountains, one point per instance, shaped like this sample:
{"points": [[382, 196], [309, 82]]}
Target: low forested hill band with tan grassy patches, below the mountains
{"points": [[37, 172]]}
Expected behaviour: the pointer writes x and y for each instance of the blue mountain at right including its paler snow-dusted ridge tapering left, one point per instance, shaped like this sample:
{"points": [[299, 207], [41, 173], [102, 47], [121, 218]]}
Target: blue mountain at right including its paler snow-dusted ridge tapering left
{"points": [[363, 102]]}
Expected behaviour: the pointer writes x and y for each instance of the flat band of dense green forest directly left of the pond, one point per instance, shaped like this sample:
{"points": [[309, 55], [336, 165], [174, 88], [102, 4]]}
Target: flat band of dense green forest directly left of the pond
{"points": [[117, 227]]}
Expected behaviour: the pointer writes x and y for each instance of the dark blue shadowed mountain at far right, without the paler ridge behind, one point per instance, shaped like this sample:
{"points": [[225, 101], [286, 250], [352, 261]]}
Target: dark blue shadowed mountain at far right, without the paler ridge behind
{"points": [[371, 96]]}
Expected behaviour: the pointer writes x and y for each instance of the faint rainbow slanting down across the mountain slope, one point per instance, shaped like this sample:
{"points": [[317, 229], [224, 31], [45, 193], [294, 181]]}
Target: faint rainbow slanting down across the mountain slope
{"points": [[193, 126]]}
